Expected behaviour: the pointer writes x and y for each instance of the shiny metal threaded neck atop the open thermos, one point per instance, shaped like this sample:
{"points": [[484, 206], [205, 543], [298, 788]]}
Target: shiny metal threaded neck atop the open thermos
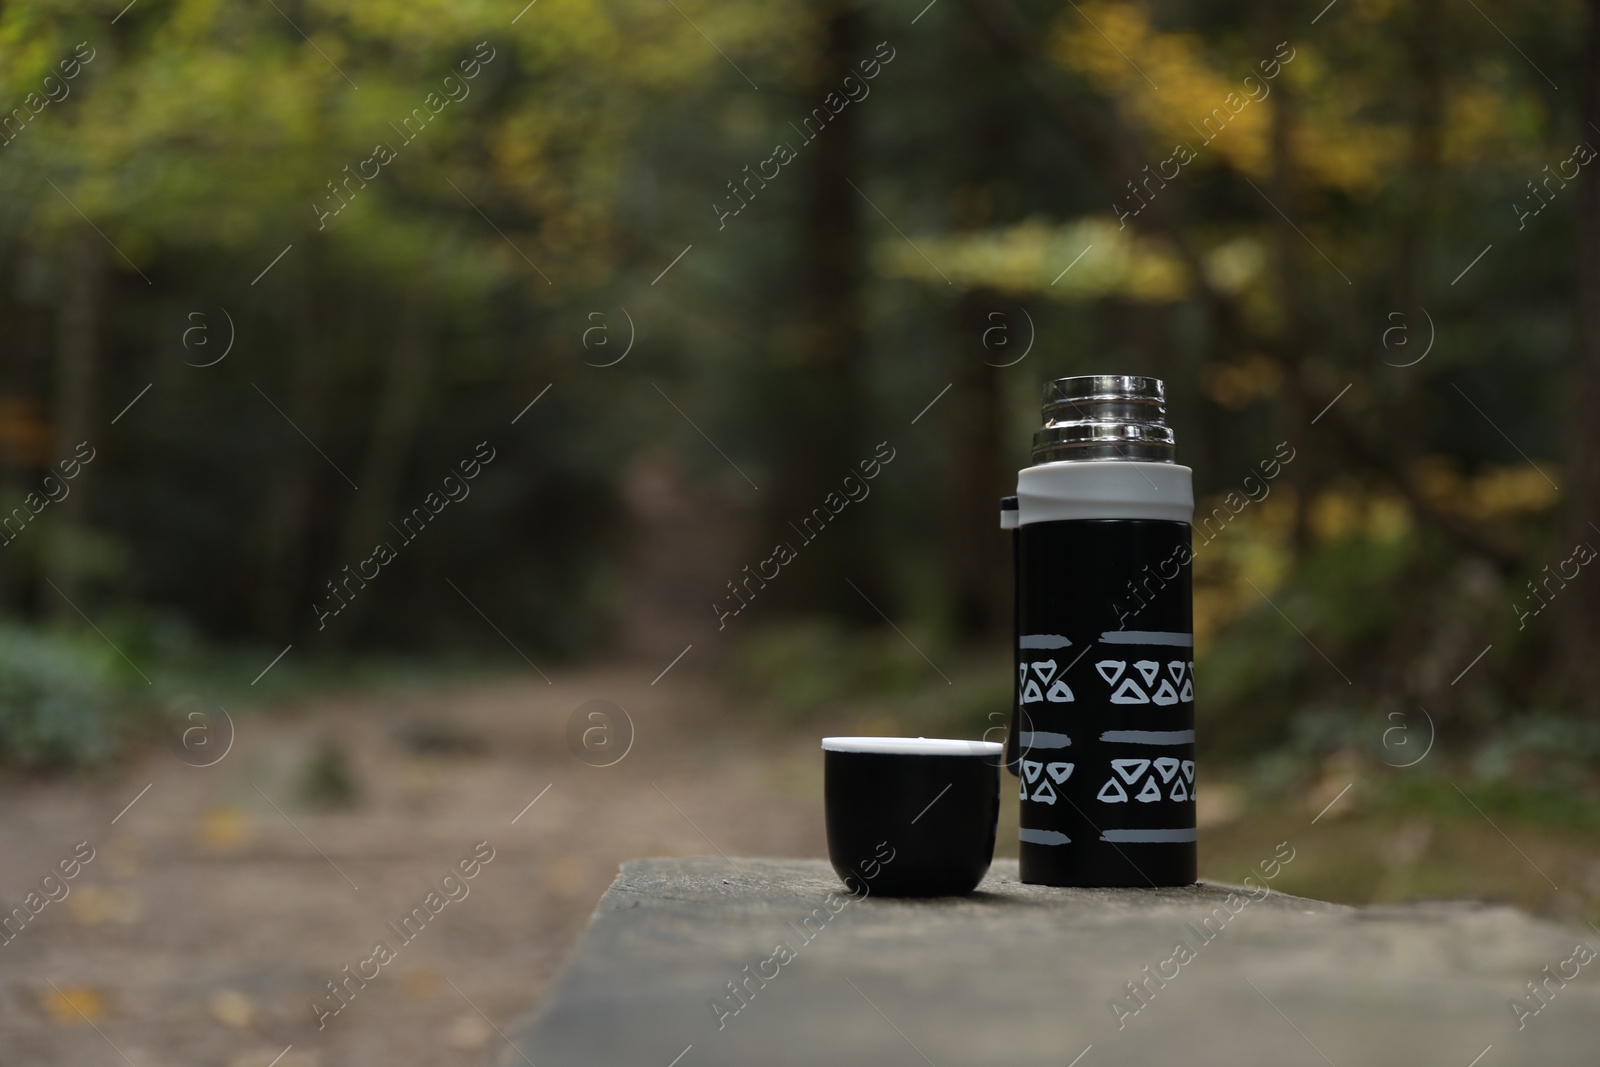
{"points": [[1105, 417]]}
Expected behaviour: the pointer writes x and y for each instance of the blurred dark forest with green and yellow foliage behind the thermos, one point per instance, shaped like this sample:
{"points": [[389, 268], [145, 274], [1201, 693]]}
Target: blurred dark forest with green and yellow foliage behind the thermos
{"points": [[222, 287]]}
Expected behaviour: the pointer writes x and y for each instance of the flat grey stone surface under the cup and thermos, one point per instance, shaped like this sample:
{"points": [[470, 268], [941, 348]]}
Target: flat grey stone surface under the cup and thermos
{"points": [[1026, 975]]}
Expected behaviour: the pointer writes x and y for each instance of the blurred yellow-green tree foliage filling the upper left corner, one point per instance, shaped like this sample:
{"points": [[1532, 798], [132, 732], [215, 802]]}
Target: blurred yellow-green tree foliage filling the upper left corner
{"points": [[222, 126]]}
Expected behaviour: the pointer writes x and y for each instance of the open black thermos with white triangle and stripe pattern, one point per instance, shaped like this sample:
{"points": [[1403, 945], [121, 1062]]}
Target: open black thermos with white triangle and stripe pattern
{"points": [[1103, 716]]}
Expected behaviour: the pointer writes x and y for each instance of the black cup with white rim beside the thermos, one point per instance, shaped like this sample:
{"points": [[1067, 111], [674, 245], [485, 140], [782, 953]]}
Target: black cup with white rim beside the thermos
{"points": [[911, 817]]}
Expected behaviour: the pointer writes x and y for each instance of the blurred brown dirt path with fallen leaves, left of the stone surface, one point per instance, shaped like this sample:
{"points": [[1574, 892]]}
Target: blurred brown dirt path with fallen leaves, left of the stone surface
{"points": [[220, 905]]}
